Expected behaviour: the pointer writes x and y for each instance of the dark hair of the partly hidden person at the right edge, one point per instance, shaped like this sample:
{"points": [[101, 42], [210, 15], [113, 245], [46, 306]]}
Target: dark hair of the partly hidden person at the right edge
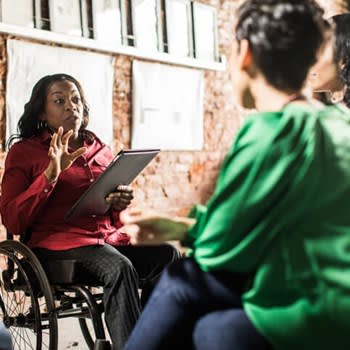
{"points": [[342, 50]]}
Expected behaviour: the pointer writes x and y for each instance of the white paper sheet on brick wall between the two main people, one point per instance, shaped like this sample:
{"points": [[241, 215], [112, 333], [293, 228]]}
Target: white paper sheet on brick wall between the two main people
{"points": [[167, 107]]}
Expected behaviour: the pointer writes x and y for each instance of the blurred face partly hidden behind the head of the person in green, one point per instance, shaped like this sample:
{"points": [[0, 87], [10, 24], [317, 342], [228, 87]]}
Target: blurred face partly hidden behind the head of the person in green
{"points": [[324, 75]]}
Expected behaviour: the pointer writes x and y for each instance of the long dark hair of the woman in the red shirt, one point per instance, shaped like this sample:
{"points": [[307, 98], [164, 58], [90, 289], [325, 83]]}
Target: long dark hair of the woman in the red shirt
{"points": [[35, 107]]}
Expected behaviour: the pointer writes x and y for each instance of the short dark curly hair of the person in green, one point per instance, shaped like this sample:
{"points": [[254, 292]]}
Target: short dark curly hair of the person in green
{"points": [[284, 36]]}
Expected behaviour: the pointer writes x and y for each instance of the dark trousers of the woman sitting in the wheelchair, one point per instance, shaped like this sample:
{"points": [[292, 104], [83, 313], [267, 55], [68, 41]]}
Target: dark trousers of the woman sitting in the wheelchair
{"points": [[121, 271]]}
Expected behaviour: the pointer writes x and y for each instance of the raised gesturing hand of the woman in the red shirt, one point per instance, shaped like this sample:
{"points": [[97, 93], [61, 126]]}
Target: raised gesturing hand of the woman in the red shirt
{"points": [[60, 158]]}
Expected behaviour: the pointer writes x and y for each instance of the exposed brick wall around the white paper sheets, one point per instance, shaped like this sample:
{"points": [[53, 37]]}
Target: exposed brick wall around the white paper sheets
{"points": [[175, 180]]}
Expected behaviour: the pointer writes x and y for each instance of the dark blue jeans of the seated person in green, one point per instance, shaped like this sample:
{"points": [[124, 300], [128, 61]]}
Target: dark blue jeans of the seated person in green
{"points": [[185, 302]]}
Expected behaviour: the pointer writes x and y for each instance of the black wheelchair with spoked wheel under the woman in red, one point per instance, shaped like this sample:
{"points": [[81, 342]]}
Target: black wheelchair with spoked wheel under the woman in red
{"points": [[34, 297]]}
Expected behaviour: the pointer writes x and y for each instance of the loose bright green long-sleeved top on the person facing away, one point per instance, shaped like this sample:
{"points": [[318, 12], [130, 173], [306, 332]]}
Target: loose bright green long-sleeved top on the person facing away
{"points": [[281, 212]]}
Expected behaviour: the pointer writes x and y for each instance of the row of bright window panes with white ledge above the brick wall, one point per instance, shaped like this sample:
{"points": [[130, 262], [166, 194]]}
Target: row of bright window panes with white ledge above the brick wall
{"points": [[184, 29]]}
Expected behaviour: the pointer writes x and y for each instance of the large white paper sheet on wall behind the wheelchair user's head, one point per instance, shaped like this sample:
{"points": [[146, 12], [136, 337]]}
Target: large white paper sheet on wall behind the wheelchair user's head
{"points": [[28, 62]]}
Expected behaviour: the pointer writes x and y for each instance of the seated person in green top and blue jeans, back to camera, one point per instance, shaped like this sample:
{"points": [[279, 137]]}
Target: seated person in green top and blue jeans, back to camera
{"points": [[269, 265]]}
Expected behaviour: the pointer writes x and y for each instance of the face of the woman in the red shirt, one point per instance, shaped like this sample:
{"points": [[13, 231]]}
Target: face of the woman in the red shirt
{"points": [[63, 106]]}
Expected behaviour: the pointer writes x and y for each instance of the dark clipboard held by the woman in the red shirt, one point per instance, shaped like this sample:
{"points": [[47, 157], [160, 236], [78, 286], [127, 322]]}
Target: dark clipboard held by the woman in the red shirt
{"points": [[123, 169]]}
